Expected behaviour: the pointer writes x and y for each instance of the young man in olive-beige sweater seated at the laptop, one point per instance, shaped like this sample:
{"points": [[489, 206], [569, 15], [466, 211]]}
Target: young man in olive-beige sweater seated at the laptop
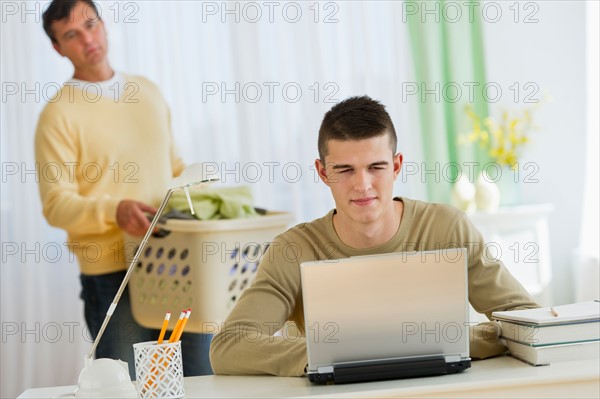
{"points": [[359, 163]]}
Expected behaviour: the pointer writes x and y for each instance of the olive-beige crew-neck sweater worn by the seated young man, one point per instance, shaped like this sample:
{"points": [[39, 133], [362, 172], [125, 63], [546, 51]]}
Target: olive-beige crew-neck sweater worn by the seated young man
{"points": [[246, 344]]}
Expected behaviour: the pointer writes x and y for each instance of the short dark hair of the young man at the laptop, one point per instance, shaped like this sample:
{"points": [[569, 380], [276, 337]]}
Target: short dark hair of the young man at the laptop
{"points": [[356, 118]]}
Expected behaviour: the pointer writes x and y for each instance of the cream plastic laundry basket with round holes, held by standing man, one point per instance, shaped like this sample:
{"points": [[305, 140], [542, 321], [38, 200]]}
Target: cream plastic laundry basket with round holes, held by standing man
{"points": [[202, 265]]}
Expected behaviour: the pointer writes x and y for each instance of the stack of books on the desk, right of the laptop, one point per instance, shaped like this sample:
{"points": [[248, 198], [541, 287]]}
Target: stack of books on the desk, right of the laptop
{"points": [[553, 334]]}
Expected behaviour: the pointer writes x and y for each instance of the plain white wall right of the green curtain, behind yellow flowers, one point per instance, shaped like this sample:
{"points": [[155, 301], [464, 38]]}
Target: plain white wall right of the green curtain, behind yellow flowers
{"points": [[549, 53]]}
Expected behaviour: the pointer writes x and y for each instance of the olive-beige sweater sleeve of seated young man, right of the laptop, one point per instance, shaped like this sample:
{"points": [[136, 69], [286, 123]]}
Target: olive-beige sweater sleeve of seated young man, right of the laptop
{"points": [[491, 288]]}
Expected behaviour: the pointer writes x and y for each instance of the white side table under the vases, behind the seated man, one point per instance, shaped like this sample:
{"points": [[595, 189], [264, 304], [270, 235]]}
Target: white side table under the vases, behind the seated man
{"points": [[519, 235]]}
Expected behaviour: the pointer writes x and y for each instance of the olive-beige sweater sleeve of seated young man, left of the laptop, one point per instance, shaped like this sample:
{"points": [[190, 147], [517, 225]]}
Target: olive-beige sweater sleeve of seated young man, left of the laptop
{"points": [[246, 343]]}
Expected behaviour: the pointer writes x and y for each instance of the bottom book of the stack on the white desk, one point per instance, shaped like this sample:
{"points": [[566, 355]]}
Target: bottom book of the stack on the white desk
{"points": [[548, 354]]}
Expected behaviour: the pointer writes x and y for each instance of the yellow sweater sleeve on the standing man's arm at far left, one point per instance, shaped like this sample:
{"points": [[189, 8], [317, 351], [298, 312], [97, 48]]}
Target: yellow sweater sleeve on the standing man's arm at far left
{"points": [[57, 158]]}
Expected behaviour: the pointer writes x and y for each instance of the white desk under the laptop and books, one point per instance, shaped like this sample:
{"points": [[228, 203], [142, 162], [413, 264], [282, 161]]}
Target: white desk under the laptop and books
{"points": [[499, 377]]}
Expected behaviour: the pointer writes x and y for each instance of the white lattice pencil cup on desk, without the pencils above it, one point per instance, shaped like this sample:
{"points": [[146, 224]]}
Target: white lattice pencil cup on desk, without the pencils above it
{"points": [[159, 370]]}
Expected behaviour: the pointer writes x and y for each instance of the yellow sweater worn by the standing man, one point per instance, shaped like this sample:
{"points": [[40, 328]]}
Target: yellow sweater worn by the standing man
{"points": [[91, 153]]}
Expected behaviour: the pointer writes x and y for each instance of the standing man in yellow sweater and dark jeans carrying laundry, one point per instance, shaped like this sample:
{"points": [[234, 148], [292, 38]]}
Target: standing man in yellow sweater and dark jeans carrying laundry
{"points": [[105, 145]]}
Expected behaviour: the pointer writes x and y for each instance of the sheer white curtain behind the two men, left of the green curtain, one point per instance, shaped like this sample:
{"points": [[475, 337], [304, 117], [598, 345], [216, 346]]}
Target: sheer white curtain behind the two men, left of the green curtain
{"points": [[248, 84]]}
